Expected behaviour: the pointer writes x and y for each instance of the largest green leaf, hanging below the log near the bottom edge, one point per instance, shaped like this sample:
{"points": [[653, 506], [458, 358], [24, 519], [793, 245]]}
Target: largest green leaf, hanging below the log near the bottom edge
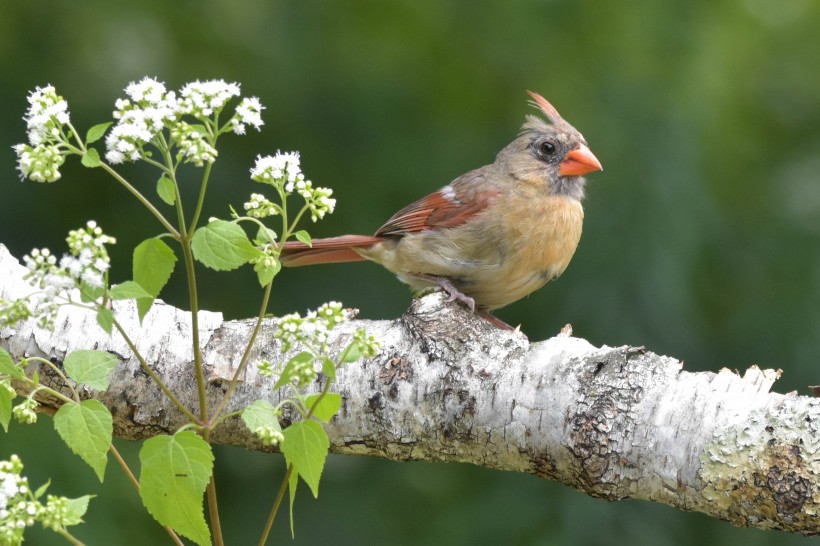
{"points": [[175, 471]]}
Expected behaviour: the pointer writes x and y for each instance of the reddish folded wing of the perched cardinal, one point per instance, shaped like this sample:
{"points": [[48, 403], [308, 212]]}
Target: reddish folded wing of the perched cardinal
{"points": [[448, 207]]}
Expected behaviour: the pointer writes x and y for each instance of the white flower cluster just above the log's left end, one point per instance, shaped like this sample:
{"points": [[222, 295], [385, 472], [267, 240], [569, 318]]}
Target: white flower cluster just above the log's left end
{"points": [[86, 265]]}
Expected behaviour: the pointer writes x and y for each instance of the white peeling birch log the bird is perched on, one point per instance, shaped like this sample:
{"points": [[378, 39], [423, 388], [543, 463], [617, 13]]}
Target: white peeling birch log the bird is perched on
{"points": [[614, 422]]}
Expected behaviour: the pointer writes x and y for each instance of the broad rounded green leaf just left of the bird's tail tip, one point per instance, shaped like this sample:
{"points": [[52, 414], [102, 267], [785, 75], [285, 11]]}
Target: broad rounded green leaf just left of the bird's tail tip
{"points": [[222, 246]]}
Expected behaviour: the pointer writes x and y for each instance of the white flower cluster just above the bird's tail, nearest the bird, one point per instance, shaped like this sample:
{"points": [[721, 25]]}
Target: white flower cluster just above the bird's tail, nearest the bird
{"points": [[283, 172]]}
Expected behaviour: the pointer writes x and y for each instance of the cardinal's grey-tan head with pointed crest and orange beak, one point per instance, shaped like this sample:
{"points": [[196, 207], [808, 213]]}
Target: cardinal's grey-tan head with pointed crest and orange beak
{"points": [[550, 152]]}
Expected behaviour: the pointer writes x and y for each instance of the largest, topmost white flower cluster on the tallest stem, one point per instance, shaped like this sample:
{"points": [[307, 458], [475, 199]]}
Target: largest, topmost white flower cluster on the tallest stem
{"points": [[152, 108]]}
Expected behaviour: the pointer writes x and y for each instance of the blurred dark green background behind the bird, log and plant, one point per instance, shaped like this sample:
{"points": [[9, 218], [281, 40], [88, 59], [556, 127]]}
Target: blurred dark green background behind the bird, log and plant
{"points": [[701, 238]]}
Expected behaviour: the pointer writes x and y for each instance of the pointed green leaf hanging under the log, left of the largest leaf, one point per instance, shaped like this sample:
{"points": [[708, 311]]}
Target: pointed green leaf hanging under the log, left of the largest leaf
{"points": [[86, 428]]}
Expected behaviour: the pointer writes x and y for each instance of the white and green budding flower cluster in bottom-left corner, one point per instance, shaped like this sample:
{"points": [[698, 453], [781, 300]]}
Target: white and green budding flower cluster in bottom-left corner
{"points": [[19, 508]]}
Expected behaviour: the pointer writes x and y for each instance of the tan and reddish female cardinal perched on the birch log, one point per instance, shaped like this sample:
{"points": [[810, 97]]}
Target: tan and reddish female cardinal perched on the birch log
{"points": [[491, 236]]}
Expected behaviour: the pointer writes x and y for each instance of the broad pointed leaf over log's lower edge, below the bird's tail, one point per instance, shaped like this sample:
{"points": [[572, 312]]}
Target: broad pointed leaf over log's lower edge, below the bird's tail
{"points": [[305, 447]]}
